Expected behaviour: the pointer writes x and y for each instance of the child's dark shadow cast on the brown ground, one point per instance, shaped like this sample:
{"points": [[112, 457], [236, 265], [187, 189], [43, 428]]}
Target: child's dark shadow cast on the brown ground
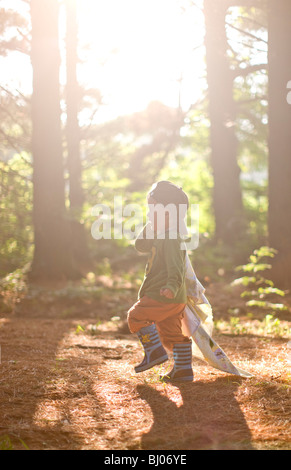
{"points": [[209, 417]]}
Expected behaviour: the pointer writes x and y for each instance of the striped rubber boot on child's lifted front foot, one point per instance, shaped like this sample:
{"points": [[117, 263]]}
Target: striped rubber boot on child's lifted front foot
{"points": [[154, 351]]}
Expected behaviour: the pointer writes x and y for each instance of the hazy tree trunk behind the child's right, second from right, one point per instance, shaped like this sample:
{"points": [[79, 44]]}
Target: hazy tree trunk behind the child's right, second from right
{"points": [[227, 198]]}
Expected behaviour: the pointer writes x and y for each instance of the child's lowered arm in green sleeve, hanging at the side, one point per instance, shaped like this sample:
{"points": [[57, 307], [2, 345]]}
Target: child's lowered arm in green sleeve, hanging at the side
{"points": [[175, 262]]}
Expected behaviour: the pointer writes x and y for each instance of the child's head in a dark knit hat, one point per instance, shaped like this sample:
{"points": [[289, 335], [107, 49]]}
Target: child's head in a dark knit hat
{"points": [[165, 194]]}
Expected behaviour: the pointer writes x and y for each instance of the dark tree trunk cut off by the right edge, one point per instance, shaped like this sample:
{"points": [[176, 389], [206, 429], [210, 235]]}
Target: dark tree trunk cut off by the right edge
{"points": [[280, 139]]}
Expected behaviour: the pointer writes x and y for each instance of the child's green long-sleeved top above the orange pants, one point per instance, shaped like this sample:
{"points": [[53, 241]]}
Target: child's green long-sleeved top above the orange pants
{"points": [[165, 268]]}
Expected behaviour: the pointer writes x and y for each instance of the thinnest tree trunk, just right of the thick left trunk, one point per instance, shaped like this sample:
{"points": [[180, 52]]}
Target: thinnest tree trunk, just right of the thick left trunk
{"points": [[79, 242]]}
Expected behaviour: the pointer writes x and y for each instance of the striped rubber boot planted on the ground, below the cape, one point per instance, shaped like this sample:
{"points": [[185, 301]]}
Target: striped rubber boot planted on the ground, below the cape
{"points": [[182, 370]]}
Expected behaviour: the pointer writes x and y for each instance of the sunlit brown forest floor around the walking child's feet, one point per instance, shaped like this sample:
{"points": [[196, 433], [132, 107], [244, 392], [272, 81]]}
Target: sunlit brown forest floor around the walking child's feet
{"points": [[67, 382]]}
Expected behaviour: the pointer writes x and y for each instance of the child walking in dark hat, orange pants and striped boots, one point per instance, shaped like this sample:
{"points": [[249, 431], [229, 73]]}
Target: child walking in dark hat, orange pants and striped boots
{"points": [[156, 316]]}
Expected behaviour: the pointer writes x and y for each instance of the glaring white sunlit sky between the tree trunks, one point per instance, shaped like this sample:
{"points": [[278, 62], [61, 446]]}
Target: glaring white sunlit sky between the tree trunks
{"points": [[142, 51]]}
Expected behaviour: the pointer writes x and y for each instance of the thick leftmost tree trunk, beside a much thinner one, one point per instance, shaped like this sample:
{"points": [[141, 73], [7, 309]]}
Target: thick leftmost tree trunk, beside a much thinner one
{"points": [[52, 255]]}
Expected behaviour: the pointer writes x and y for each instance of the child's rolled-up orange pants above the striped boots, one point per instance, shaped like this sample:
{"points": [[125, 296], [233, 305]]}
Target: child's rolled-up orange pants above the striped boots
{"points": [[167, 317]]}
